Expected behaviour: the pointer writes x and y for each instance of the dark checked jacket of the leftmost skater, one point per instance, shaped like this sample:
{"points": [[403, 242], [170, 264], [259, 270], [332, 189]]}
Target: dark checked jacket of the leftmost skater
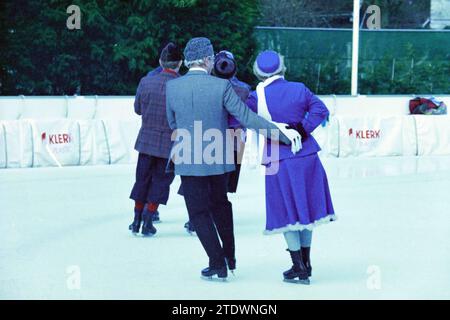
{"points": [[155, 133]]}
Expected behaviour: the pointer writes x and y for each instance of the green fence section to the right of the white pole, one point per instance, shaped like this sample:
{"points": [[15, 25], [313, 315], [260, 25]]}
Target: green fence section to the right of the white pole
{"points": [[406, 62]]}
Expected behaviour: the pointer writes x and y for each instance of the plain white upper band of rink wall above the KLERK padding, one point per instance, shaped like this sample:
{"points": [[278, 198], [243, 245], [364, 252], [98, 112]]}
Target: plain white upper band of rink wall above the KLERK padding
{"points": [[121, 107]]}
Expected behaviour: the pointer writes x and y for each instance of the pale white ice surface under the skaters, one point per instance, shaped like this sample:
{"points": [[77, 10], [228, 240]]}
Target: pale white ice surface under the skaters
{"points": [[64, 227]]}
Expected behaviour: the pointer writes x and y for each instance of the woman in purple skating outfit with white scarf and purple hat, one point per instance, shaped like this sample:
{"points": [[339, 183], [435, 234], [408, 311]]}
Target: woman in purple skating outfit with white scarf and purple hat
{"points": [[297, 193]]}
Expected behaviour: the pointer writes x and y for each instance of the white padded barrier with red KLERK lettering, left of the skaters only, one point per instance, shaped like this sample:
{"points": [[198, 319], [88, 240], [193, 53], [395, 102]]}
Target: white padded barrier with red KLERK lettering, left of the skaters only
{"points": [[46, 143]]}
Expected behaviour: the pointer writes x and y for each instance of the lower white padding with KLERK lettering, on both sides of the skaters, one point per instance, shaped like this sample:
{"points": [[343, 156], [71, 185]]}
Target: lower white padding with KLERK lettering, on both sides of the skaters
{"points": [[66, 142]]}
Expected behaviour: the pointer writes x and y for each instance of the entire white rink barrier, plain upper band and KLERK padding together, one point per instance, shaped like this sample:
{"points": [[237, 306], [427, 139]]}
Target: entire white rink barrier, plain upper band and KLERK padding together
{"points": [[92, 130]]}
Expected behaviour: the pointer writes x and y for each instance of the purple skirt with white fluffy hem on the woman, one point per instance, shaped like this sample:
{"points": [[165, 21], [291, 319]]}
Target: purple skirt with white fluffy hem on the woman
{"points": [[298, 196]]}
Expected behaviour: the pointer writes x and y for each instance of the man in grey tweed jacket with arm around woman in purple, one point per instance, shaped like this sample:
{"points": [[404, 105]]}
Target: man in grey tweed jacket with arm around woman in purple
{"points": [[198, 106]]}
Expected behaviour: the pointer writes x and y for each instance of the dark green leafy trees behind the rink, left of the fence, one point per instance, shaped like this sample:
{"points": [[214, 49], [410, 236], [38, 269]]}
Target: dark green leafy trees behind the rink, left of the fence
{"points": [[117, 44]]}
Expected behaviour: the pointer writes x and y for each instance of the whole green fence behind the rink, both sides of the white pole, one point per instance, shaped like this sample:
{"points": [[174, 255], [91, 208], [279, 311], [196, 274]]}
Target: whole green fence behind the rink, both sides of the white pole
{"points": [[390, 61]]}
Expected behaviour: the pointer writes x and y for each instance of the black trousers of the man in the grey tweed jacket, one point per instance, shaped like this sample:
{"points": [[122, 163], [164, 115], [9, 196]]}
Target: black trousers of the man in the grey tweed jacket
{"points": [[211, 214]]}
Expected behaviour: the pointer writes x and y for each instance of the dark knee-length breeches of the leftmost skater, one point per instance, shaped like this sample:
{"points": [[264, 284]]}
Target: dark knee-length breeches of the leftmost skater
{"points": [[152, 181]]}
